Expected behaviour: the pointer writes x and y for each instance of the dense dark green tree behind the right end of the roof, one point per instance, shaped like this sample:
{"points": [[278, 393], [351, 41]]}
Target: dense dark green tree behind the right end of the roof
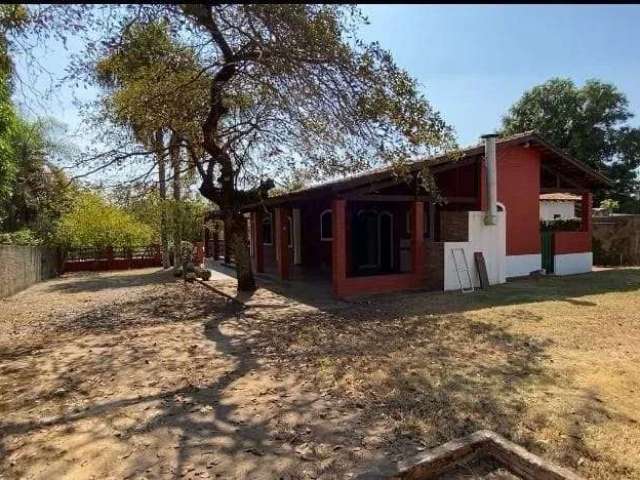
{"points": [[589, 122]]}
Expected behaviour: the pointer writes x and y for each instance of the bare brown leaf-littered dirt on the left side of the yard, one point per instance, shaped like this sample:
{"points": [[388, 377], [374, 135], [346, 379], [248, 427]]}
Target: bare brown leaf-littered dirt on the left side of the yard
{"points": [[133, 375]]}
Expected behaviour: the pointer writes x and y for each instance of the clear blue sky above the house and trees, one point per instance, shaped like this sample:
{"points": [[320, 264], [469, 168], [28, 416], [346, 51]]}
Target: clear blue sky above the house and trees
{"points": [[473, 62]]}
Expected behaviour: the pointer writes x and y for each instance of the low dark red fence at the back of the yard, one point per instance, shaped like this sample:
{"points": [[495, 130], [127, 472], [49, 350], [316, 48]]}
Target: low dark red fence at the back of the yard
{"points": [[91, 259]]}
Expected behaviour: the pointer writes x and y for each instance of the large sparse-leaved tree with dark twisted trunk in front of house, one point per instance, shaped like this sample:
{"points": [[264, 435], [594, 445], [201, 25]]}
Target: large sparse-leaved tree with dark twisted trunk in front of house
{"points": [[284, 86]]}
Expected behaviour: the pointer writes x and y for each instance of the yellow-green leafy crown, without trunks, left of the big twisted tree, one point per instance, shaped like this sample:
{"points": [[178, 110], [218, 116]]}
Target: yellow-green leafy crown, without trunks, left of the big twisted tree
{"points": [[153, 82]]}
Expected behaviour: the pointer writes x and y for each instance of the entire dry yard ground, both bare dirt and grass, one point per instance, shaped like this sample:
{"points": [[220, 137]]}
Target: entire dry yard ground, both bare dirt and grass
{"points": [[135, 375]]}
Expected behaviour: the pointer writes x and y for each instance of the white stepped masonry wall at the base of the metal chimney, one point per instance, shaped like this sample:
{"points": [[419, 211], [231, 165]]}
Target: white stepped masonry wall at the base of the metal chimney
{"points": [[491, 240]]}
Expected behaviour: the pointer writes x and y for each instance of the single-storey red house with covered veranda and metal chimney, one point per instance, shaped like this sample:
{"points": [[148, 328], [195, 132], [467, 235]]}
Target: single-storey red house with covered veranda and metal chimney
{"points": [[376, 232]]}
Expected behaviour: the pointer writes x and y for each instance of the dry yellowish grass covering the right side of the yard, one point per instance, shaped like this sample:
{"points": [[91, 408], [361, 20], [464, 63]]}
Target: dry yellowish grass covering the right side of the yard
{"points": [[551, 364]]}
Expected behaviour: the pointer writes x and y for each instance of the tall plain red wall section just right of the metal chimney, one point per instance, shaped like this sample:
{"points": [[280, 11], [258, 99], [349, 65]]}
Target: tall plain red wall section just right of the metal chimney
{"points": [[519, 191]]}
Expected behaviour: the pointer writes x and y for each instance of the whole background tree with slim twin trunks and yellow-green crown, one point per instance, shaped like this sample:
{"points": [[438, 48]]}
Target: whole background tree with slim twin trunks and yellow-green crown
{"points": [[141, 78]]}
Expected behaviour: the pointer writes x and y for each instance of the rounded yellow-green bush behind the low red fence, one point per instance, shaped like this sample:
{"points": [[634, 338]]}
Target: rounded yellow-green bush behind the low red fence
{"points": [[93, 222]]}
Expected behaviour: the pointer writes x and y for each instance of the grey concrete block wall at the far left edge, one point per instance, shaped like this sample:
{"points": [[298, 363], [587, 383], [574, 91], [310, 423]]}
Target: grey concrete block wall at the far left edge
{"points": [[22, 266]]}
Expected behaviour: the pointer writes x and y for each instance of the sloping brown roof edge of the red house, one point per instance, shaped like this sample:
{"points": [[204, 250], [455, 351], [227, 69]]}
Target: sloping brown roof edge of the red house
{"points": [[570, 164]]}
